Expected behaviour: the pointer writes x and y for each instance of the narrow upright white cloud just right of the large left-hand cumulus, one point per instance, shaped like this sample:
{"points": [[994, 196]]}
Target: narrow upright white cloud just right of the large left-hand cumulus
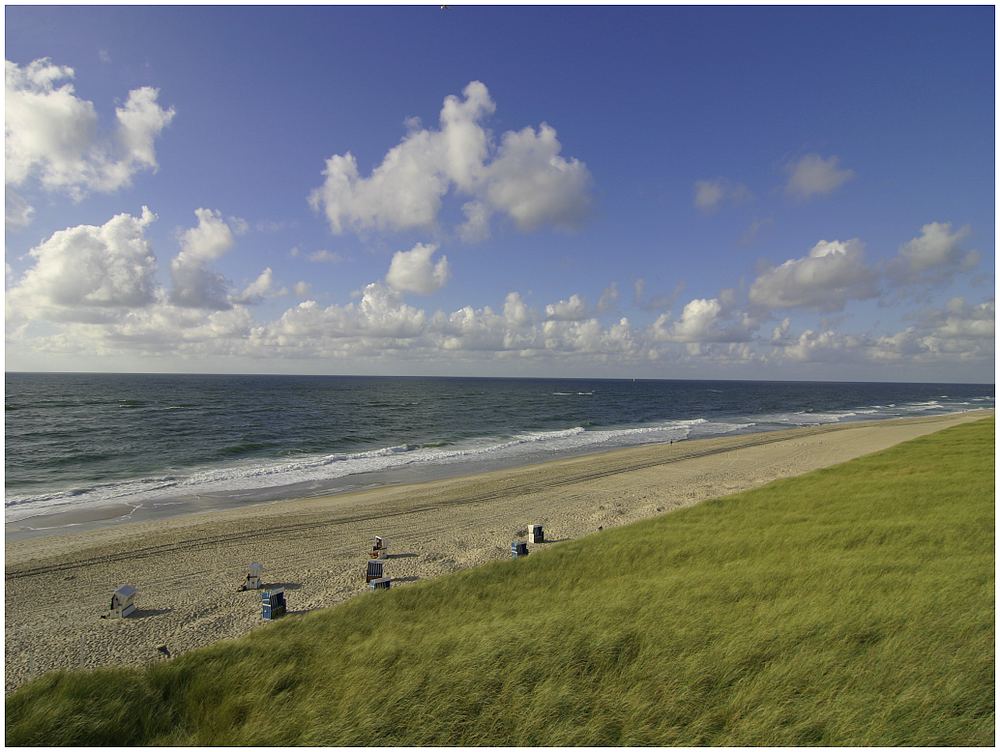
{"points": [[195, 284]]}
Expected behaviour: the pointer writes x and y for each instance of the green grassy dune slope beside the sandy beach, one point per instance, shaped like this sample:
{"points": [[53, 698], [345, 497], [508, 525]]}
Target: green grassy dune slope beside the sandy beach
{"points": [[851, 606]]}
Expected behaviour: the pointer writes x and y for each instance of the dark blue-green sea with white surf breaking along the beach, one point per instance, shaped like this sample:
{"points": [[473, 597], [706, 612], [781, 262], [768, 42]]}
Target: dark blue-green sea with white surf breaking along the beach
{"points": [[86, 440]]}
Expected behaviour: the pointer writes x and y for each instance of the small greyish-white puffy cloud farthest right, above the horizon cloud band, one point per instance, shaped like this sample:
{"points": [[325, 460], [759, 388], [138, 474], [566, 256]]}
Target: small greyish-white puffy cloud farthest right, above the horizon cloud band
{"points": [[935, 255]]}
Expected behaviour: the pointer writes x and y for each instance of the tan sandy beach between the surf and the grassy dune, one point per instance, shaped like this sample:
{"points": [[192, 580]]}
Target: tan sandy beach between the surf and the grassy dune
{"points": [[187, 568]]}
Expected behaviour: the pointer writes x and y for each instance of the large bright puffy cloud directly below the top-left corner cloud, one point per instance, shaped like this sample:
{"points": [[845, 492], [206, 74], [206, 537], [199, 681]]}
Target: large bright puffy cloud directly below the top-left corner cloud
{"points": [[81, 272]]}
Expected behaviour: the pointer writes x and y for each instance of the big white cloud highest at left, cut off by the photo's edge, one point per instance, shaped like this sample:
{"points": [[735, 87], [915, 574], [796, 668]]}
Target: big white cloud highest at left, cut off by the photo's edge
{"points": [[53, 135]]}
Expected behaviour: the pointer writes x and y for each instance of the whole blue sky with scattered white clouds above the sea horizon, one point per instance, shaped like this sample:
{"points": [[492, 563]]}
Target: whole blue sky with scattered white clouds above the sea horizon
{"points": [[648, 192]]}
